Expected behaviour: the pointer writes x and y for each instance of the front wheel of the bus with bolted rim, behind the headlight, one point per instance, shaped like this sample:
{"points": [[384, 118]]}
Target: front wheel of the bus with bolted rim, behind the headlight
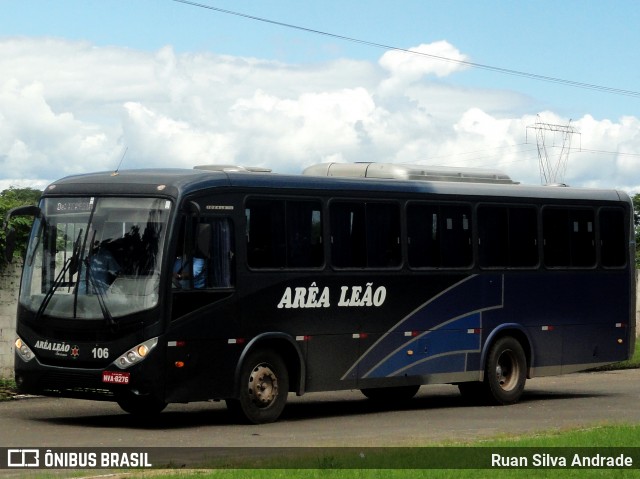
{"points": [[264, 386]]}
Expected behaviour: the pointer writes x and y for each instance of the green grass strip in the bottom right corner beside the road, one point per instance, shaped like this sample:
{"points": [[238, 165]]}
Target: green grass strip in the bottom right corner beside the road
{"points": [[610, 440]]}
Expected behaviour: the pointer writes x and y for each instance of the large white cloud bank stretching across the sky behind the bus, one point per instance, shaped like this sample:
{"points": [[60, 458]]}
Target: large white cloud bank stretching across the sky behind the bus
{"points": [[72, 107]]}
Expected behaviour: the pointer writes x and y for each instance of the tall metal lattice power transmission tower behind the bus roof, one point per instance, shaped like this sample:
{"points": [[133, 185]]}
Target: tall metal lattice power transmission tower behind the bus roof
{"points": [[548, 138]]}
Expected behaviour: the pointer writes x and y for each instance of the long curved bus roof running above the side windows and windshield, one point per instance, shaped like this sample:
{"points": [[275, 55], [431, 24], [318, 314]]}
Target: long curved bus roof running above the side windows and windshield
{"points": [[180, 182]]}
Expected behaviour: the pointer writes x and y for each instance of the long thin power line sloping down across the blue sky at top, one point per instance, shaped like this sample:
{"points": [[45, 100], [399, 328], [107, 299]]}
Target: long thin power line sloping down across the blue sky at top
{"points": [[505, 71]]}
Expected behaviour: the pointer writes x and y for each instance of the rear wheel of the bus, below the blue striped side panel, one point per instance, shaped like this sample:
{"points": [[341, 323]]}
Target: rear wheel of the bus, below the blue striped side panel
{"points": [[506, 371]]}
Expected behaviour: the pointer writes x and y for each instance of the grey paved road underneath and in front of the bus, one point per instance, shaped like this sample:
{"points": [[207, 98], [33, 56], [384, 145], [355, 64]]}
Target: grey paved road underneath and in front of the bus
{"points": [[330, 419]]}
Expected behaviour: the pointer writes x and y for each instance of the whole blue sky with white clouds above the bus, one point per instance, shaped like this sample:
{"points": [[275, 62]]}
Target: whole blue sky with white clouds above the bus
{"points": [[88, 85]]}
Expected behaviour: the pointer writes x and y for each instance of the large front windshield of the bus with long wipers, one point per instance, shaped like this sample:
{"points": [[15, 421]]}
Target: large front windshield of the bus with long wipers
{"points": [[94, 258]]}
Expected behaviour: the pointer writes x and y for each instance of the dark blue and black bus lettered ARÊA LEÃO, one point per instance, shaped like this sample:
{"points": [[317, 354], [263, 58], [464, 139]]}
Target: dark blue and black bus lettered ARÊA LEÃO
{"points": [[158, 286]]}
